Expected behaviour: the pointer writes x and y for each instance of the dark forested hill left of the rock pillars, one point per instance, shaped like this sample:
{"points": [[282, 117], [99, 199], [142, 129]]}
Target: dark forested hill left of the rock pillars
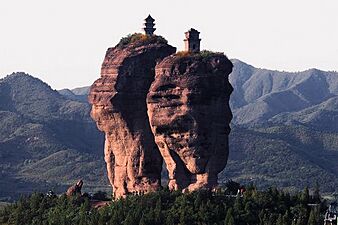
{"points": [[46, 140]]}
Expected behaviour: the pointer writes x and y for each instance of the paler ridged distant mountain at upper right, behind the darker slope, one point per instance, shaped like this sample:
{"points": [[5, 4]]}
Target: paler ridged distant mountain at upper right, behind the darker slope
{"points": [[264, 96]]}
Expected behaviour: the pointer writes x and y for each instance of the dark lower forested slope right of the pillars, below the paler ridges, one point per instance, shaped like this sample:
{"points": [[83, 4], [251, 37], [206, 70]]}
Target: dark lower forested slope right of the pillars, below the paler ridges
{"points": [[292, 157]]}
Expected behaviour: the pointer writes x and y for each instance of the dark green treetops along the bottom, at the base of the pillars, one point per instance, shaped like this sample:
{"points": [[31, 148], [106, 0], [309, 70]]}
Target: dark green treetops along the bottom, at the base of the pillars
{"points": [[269, 207]]}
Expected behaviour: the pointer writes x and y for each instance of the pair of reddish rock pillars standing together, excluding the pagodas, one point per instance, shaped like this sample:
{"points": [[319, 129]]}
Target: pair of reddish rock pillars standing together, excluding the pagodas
{"points": [[152, 105]]}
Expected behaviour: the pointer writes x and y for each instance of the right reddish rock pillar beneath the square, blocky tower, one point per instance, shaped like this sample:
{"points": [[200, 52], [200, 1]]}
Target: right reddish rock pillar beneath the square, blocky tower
{"points": [[188, 108]]}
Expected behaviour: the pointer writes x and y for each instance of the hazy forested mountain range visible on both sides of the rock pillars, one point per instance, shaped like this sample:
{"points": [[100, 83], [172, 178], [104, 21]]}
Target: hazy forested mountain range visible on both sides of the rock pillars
{"points": [[284, 133]]}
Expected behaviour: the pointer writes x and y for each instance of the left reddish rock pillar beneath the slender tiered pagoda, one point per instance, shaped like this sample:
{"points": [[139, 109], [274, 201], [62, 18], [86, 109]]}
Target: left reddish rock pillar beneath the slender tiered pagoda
{"points": [[119, 108]]}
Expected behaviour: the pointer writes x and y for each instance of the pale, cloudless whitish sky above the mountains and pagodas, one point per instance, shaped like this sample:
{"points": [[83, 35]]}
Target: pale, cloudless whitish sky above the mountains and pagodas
{"points": [[63, 42]]}
